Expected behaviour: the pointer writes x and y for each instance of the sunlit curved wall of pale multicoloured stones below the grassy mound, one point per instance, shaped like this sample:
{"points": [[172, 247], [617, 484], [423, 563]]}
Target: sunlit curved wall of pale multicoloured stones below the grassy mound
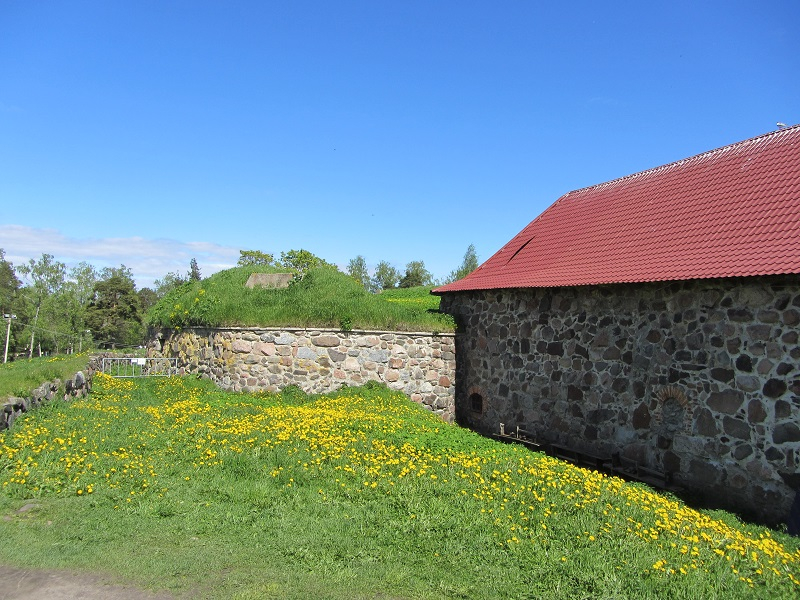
{"points": [[422, 365]]}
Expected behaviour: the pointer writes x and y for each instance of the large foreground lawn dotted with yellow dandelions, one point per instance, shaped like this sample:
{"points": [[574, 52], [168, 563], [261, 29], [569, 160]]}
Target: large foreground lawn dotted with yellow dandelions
{"points": [[173, 484]]}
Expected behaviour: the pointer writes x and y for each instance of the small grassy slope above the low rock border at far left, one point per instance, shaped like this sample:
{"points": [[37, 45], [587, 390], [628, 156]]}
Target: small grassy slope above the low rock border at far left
{"points": [[22, 376]]}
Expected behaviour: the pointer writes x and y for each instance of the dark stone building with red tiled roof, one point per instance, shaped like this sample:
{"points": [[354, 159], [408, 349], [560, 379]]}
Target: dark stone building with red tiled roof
{"points": [[652, 319]]}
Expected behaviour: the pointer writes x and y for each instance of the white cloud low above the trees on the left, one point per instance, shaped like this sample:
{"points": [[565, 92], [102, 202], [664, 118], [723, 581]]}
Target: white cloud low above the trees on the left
{"points": [[149, 259]]}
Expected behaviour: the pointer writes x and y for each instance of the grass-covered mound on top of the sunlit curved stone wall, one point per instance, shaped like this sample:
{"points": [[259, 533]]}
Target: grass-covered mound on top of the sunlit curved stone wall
{"points": [[324, 297]]}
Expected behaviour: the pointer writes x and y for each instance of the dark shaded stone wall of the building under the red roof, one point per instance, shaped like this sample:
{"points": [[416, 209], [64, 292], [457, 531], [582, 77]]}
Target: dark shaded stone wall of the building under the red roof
{"points": [[699, 379]]}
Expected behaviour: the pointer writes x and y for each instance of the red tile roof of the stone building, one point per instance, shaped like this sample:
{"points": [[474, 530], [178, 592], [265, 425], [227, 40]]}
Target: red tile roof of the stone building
{"points": [[730, 212]]}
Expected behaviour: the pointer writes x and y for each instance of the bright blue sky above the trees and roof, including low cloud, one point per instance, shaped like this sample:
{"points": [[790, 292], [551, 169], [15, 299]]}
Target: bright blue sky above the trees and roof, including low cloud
{"points": [[148, 133]]}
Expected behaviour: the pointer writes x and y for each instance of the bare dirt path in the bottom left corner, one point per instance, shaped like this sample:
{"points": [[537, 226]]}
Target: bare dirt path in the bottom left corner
{"points": [[35, 584]]}
